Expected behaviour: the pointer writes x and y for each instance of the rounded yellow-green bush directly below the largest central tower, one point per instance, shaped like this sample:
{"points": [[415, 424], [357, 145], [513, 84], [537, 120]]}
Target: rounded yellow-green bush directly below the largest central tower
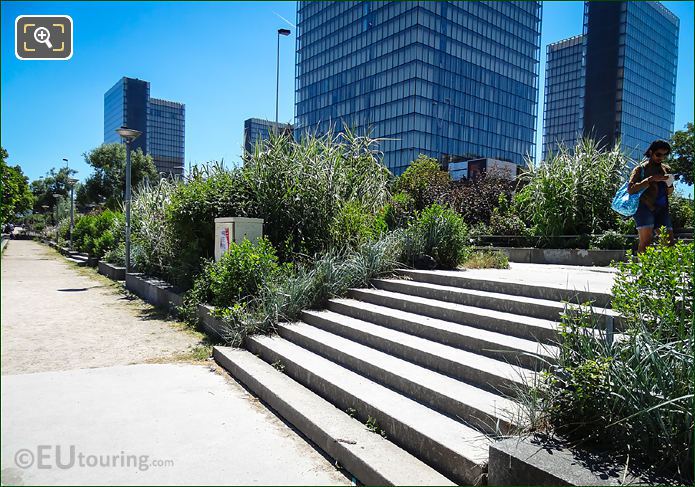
{"points": [[424, 181]]}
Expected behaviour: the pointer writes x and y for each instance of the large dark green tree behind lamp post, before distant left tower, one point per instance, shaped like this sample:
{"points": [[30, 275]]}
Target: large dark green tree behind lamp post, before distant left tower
{"points": [[106, 184]]}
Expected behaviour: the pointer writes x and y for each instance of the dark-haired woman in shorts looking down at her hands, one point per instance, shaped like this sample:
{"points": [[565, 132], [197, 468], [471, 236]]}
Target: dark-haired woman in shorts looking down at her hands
{"points": [[652, 212]]}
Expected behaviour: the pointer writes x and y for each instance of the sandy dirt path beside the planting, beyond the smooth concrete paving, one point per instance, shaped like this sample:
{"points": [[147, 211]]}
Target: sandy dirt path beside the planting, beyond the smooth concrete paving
{"points": [[58, 317]]}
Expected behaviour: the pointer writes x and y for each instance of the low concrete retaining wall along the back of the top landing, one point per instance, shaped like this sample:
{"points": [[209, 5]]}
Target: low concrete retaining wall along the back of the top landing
{"points": [[579, 257]]}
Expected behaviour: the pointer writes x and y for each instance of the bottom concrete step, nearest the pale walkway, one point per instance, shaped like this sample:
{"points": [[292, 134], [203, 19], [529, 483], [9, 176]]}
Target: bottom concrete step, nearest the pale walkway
{"points": [[372, 459]]}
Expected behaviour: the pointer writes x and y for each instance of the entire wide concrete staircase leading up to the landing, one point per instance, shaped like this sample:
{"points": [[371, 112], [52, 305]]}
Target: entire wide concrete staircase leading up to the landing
{"points": [[431, 361]]}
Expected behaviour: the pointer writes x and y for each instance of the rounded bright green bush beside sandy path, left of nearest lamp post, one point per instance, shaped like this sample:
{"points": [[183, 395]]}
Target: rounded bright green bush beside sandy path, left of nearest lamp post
{"points": [[98, 233]]}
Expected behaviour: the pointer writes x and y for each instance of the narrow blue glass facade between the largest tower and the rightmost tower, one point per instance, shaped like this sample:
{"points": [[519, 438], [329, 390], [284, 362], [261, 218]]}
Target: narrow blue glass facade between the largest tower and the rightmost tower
{"points": [[563, 81]]}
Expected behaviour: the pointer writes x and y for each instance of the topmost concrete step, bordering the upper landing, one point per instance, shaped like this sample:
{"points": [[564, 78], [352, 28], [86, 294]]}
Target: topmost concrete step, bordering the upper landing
{"points": [[464, 280]]}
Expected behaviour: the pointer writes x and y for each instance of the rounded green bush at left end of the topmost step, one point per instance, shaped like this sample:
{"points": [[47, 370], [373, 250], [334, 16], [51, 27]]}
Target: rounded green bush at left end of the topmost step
{"points": [[440, 233]]}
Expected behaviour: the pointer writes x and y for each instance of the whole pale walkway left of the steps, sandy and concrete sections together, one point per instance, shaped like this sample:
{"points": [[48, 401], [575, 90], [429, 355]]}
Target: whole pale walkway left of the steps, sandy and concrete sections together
{"points": [[100, 389]]}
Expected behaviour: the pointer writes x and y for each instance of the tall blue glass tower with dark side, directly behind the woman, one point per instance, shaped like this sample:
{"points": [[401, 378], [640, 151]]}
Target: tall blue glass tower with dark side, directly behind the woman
{"points": [[629, 57]]}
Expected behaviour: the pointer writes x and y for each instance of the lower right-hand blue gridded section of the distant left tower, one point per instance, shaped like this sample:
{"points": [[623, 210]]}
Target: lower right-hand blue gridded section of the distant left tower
{"points": [[166, 129]]}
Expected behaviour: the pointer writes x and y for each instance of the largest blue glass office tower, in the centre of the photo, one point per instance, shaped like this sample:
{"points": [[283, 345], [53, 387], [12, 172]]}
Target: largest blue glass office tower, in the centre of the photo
{"points": [[452, 80]]}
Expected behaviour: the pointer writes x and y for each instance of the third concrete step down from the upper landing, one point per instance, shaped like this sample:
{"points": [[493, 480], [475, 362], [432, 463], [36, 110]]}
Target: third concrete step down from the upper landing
{"points": [[545, 331]]}
